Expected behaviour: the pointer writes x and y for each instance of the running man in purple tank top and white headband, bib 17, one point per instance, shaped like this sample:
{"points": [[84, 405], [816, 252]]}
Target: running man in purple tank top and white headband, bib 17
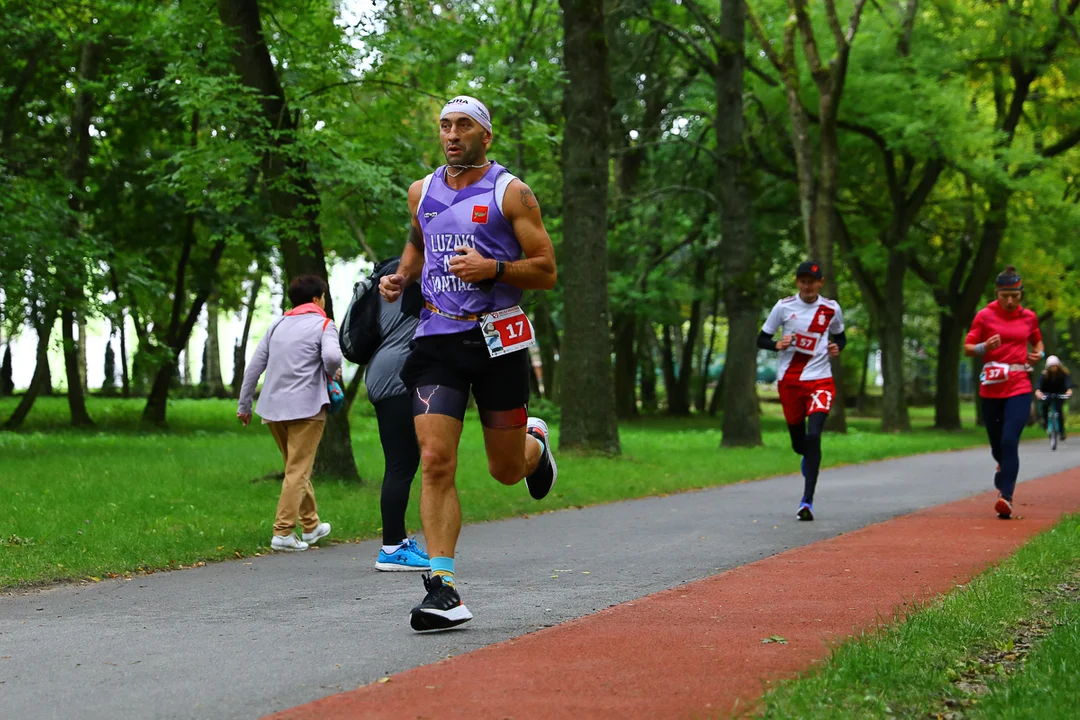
{"points": [[472, 221]]}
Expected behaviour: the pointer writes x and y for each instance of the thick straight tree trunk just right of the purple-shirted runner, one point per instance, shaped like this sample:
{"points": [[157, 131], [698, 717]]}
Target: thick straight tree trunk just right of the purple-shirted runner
{"points": [[587, 384]]}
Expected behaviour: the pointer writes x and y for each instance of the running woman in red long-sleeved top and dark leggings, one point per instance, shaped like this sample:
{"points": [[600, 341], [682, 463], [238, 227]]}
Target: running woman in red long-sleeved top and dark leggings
{"points": [[1007, 337]]}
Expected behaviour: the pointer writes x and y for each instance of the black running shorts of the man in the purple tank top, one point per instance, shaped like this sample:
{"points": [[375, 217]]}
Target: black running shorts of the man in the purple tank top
{"points": [[461, 361]]}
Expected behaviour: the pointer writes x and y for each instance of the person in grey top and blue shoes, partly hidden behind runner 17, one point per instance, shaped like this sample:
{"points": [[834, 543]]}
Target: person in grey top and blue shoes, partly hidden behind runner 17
{"points": [[394, 409]]}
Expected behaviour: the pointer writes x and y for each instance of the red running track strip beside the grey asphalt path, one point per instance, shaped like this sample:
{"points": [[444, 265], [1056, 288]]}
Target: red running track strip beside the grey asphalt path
{"points": [[696, 650]]}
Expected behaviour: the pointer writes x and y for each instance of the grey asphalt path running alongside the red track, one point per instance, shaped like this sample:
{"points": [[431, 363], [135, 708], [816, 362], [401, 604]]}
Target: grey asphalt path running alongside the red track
{"points": [[246, 639]]}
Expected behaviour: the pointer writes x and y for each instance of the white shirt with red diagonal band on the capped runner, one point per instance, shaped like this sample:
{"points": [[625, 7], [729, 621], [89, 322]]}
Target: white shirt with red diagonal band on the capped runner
{"points": [[811, 323]]}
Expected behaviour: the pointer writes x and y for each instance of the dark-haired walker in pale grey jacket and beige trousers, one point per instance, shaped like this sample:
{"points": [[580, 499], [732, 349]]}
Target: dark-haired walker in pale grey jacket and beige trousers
{"points": [[299, 354]]}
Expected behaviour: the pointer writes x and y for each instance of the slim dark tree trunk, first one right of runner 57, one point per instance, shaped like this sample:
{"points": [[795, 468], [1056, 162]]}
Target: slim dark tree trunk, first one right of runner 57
{"points": [[895, 418]]}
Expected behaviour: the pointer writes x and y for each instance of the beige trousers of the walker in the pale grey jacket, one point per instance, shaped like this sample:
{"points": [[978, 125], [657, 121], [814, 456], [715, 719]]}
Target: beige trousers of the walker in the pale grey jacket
{"points": [[299, 441]]}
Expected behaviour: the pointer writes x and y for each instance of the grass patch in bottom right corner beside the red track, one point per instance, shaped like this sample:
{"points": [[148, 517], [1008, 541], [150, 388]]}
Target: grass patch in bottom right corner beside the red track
{"points": [[1007, 646]]}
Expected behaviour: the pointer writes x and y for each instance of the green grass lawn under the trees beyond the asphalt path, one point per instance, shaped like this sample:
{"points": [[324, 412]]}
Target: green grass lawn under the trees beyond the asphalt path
{"points": [[86, 505]]}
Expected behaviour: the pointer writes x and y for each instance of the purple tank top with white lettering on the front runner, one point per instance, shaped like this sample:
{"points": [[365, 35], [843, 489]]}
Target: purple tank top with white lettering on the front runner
{"points": [[471, 218]]}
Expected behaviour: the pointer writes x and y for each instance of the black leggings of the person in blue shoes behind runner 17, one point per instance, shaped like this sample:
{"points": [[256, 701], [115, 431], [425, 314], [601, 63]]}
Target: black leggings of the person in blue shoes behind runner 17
{"points": [[402, 454]]}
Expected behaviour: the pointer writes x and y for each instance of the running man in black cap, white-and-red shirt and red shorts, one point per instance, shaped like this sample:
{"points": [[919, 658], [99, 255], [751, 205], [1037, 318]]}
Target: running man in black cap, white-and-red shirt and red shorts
{"points": [[812, 332]]}
